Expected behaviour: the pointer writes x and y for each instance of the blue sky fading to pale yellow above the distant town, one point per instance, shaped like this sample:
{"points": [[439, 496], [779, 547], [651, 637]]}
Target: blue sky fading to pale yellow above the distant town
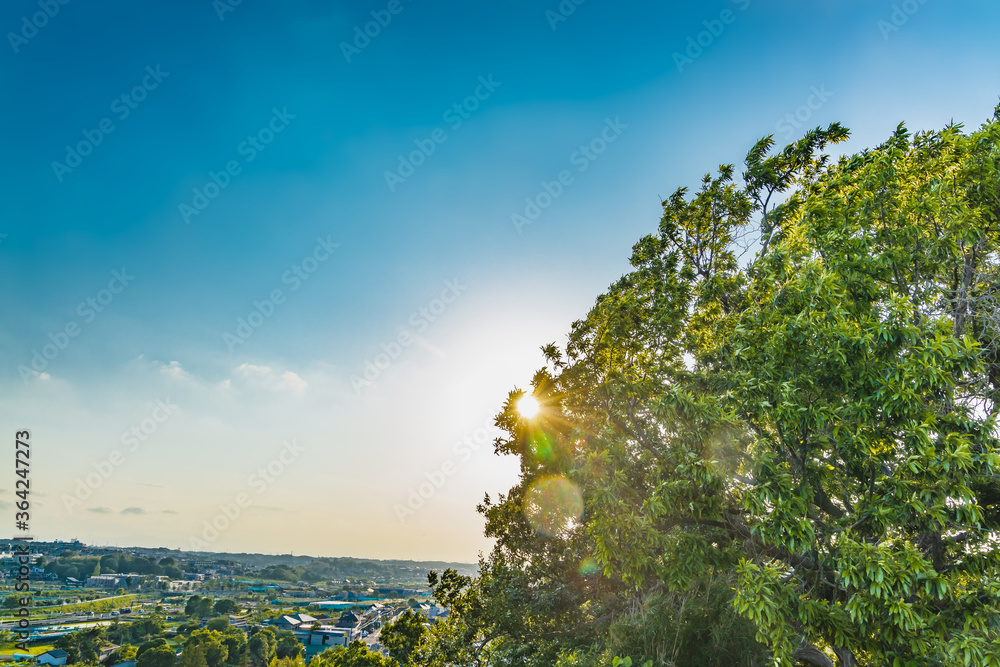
{"points": [[271, 82]]}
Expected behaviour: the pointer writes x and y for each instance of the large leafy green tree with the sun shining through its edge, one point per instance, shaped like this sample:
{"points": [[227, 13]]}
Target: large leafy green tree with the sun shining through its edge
{"points": [[813, 429]]}
